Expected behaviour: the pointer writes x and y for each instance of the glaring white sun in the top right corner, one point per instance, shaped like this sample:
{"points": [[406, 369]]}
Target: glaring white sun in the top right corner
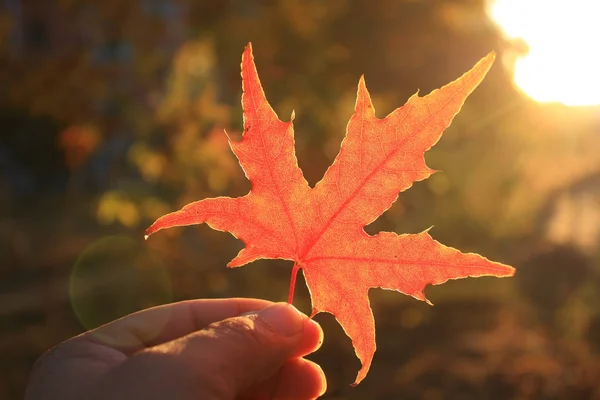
{"points": [[562, 63]]}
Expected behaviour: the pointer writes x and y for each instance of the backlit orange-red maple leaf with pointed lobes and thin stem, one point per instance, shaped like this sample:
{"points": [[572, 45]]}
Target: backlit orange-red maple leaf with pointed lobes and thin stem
{"points": [[321, 228]]}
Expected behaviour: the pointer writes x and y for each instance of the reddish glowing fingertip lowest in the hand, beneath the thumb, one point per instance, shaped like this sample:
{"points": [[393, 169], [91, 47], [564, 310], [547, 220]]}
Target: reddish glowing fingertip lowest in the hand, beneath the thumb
{"points": [[297, 379]]}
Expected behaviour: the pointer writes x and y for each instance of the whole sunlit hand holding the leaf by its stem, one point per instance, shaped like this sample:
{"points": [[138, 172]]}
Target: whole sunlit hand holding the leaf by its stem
{"points": [[207, 349]]}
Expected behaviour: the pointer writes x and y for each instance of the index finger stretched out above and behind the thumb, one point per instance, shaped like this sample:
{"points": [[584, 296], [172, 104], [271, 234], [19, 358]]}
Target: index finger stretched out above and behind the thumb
{"points": [[161, 324]]}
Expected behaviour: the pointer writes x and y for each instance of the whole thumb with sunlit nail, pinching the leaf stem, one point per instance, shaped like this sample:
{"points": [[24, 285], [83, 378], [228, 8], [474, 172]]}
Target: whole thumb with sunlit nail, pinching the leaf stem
{"points": [[220, 361]]}
